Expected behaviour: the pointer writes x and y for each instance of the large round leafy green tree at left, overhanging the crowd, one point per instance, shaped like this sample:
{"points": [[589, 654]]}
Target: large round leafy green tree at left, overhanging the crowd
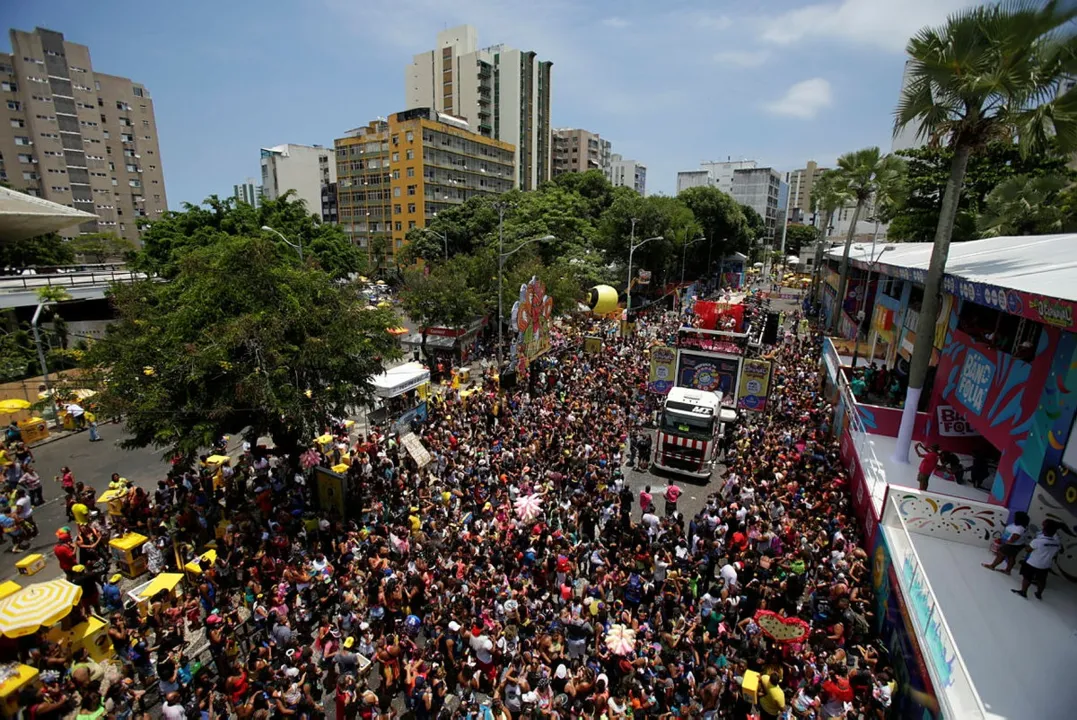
{"points": [[242, 337]]}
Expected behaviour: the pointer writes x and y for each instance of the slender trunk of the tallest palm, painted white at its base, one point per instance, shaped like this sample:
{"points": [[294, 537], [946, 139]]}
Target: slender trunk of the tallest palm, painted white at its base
{"points": [[930, 308]]}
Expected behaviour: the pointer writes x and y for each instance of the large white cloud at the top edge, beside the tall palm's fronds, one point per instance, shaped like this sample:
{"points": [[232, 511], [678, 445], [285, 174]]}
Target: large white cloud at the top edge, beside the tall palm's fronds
{"points": [[885, 24]]}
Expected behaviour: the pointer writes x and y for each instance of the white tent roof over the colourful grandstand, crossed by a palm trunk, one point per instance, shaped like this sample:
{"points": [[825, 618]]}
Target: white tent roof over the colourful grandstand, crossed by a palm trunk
{"points": [[1043, 265]]}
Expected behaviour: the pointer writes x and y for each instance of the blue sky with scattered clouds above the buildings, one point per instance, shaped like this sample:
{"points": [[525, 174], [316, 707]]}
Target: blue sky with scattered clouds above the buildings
{"points": [[669, 83]]}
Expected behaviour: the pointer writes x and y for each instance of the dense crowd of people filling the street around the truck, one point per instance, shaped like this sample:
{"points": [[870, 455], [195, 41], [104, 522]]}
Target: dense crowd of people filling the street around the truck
{"points": [[512, 576]]}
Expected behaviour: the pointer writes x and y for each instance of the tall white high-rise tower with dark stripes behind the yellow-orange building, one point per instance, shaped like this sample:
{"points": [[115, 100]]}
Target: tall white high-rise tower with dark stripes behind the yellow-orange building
{"points": [[503, 93]]}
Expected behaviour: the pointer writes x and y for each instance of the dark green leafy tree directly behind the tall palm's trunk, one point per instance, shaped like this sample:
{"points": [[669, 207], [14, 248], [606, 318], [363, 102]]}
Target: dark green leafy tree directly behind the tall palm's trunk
{"points": [[917, 219]]}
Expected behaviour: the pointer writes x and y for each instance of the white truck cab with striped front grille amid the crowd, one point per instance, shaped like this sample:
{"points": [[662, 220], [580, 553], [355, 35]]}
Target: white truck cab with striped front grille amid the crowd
{"points": [[690, 427]]}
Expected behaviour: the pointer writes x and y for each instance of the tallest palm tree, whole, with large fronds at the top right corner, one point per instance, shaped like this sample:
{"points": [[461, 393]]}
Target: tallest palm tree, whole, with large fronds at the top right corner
{"points": [[991, 73]]}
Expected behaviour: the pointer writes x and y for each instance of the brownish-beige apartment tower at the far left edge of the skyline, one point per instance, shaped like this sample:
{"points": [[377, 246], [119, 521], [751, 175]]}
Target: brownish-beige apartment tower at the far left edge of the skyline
{"points": [[78, 137]]}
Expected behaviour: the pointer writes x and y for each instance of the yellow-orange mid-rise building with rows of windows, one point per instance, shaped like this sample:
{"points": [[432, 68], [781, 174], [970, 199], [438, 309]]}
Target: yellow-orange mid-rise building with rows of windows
{"points": [[397, 175]]}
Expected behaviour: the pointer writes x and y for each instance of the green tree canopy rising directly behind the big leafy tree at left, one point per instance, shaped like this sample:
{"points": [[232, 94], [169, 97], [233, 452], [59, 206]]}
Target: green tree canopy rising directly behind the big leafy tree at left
{"points": [[170, 239]]}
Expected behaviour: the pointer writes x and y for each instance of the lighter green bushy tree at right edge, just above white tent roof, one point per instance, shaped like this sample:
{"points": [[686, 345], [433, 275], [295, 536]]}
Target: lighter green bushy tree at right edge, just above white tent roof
{"points": [[1025, 206]]}
